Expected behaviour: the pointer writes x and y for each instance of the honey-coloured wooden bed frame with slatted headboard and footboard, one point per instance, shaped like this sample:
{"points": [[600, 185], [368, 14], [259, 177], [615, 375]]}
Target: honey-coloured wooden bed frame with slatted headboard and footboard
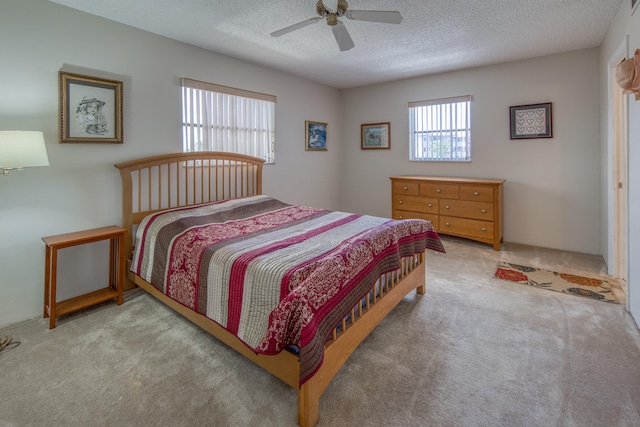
{"points": [[161, 182]]}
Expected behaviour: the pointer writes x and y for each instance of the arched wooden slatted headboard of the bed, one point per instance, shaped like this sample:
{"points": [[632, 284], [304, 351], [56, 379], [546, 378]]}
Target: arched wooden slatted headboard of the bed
{"points": [[157, 183]]}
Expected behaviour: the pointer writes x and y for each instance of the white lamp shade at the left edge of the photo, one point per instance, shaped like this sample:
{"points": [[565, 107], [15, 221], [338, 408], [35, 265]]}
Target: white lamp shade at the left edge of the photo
{"points": [[20, 149]]}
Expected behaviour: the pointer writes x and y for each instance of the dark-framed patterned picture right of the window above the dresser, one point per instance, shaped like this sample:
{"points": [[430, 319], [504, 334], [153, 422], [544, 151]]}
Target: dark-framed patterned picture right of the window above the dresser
{"points": [[531, 121]]}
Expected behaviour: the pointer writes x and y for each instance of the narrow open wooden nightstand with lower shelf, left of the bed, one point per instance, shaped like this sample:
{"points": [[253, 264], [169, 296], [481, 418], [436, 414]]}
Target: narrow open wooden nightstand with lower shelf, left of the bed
{"points": [[115, 235]]}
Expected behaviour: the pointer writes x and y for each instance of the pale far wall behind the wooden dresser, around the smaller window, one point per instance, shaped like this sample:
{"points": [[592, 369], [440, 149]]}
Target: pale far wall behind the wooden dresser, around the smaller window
{"points": [[552, 189]]}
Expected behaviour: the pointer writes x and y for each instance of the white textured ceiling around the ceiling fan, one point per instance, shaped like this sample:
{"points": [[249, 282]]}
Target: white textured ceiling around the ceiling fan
{"points": [[434, 36]]}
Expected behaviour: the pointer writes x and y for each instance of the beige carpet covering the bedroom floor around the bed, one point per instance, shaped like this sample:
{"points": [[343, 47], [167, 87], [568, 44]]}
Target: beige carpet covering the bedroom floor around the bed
{"points": [[473, 351]]}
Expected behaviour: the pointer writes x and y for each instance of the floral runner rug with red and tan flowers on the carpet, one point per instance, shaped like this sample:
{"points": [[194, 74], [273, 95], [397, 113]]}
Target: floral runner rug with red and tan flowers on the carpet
{"points": [[586, 287]]}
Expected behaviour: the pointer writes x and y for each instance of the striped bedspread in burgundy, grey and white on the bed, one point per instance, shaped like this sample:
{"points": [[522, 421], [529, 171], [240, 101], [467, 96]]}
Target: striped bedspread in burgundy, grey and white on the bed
{"points": [[271, 273]]}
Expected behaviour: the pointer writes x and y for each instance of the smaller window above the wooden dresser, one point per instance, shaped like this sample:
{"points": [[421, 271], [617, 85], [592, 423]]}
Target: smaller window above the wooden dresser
{"points": [[440, 129]]}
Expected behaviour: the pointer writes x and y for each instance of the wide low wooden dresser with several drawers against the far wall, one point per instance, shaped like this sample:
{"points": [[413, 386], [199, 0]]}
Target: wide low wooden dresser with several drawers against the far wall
{"points": [[464, 207]]}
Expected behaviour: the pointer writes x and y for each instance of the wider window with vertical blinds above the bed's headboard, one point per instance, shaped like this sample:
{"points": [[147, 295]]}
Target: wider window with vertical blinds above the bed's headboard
{"points": [[220, 118]]}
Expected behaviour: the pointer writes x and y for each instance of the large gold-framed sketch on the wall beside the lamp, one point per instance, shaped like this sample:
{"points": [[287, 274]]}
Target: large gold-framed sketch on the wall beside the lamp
{"points": [[90, 109]]}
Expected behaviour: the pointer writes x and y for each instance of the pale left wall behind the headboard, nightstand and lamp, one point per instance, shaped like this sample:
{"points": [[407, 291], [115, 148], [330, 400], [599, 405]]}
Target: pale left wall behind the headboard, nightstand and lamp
{"points": [[81, 188]]}
